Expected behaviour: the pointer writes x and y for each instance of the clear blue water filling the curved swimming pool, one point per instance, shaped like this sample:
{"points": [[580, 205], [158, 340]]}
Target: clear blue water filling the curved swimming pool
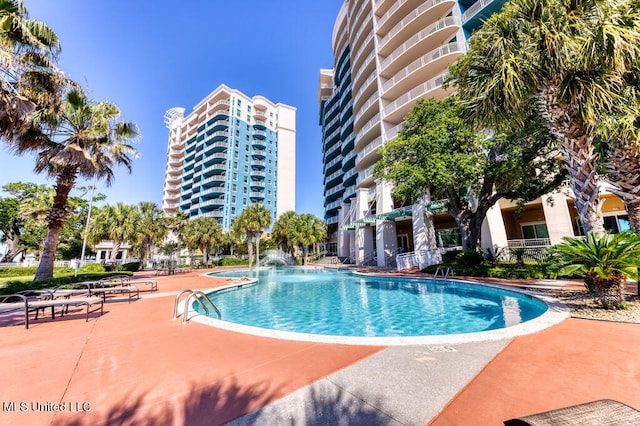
{"points": [[340, 303]]}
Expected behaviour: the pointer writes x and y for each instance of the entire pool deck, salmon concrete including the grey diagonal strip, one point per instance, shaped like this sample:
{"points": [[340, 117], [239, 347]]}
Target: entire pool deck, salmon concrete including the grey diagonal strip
{"points": [[134, 364]]}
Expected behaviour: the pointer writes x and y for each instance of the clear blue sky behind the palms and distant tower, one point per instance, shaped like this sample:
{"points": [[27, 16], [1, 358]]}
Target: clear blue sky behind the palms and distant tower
{"points": [[148, 57]]}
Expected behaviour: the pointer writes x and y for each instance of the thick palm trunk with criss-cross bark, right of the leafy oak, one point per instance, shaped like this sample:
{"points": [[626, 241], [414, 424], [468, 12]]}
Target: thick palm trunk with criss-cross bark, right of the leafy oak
{"points": [[579, 157]]}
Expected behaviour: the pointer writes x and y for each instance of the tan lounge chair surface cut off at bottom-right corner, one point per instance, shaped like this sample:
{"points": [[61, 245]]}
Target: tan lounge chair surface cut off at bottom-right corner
{"points": [[604, 412]]}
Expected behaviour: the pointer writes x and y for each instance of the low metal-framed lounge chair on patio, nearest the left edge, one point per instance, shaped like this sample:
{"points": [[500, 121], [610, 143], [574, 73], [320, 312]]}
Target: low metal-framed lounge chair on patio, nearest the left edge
{"points": [[35, 304]]}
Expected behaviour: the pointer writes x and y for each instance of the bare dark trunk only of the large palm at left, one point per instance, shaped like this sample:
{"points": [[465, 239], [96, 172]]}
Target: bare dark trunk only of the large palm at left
{"points": [[56, 218]]}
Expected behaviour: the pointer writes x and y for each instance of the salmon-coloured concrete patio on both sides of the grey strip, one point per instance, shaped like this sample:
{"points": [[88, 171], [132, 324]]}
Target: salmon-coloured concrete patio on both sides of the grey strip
{"points": [[135, 365]]}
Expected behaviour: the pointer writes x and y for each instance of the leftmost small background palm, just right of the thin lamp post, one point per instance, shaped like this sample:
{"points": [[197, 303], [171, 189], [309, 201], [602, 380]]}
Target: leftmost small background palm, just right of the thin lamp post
{"points": [[119, 223]]}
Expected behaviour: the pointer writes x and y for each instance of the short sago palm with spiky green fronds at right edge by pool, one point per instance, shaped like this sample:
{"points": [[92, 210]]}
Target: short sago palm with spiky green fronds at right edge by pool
{"points": [[605, 261]]}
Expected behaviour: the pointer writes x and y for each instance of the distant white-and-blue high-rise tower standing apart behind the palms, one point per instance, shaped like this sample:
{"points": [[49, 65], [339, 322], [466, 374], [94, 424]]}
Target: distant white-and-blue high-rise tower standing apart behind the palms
{"points": [[230, 152]]}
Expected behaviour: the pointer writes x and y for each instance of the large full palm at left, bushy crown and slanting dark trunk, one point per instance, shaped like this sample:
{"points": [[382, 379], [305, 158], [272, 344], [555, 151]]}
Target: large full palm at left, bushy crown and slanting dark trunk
{"points": [[81, 139]]}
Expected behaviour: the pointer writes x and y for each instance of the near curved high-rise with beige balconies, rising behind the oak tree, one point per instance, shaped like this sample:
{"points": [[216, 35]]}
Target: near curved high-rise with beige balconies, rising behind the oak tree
{"points": [[388, 54]]}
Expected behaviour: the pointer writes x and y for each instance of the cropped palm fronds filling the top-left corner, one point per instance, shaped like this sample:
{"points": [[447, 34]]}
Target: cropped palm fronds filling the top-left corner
{"points": [[28, 49]]}
